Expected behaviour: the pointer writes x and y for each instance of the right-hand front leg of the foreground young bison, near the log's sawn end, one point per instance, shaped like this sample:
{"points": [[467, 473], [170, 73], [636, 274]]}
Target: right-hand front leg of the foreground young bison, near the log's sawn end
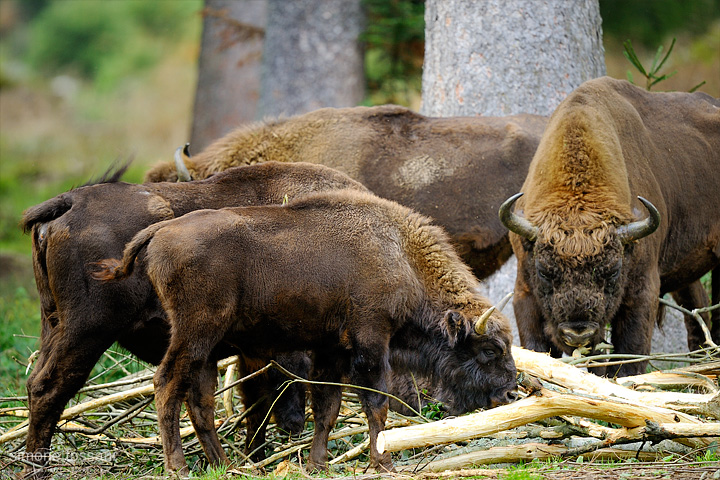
{"points": [[370, 367]]}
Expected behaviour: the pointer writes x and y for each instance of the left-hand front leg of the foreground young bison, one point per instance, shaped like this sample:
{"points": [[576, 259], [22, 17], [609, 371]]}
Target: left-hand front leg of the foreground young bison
{"points": [[325, 401]]}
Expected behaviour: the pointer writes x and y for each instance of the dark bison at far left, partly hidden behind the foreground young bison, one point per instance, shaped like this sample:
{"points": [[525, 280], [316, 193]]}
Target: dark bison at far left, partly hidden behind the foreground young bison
{"points": [[81, 318]]}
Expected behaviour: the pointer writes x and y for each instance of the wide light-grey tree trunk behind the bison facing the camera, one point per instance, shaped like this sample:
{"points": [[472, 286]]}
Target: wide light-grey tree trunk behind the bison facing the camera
{"points": [[502, 57]]}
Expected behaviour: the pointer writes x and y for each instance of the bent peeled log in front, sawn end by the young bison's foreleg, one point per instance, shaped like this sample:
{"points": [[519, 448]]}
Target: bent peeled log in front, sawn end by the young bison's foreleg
{"points": [[537, 407]]}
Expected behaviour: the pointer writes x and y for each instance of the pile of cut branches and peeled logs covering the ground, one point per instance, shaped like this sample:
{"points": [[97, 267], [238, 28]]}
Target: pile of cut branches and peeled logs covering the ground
{"points": [[565, 412]]}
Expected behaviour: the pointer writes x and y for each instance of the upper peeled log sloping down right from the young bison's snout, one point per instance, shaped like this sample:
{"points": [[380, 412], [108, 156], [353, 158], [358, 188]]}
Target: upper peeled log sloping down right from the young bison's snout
{"points": [[543, 366]]}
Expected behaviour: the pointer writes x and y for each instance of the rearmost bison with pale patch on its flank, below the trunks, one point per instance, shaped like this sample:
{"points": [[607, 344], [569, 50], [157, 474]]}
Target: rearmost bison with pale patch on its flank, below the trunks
{"points": [[455, 170]]}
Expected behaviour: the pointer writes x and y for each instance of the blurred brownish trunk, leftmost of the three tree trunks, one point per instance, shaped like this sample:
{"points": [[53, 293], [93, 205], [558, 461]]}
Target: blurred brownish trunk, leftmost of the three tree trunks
{"points": [[228, 88]]}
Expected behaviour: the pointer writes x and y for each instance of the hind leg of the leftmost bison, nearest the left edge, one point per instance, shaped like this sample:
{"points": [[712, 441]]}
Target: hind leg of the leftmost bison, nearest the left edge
{"points": [[62, 368]]}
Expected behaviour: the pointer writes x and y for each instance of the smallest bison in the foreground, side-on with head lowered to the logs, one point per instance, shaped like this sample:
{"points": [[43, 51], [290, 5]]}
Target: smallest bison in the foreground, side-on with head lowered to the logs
{"points": [[345, 275]]}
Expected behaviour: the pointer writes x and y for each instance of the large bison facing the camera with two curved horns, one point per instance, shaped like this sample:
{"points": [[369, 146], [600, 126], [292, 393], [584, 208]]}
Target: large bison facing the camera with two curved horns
{"points": [[587, 254]]}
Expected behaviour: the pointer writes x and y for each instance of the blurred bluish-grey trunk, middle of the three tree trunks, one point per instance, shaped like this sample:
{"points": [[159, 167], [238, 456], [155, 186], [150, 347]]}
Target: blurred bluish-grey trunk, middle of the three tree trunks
{"points": [[312, 56]]}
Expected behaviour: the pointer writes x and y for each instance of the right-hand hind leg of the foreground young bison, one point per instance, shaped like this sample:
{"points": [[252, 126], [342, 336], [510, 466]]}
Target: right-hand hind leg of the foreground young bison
{"points": [[201, 407]]}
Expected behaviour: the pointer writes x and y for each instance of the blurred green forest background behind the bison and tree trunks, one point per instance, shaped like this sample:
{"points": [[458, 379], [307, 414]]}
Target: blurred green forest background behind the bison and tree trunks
{"points": [[86, 82]]}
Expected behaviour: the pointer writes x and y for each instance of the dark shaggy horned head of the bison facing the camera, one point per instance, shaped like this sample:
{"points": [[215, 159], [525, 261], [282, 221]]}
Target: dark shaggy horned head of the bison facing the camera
{"points": [[576, 293]]}
